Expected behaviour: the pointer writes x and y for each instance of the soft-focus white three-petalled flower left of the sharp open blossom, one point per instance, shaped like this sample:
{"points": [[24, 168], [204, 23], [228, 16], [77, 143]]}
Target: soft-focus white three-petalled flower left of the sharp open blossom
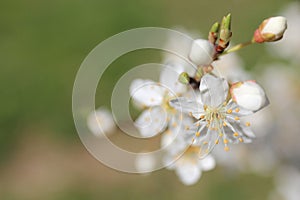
{"points": [[155, 97]]}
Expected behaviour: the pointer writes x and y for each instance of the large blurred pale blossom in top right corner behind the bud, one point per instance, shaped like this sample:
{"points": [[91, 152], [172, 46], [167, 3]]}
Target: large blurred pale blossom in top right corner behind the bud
{"points": [[289, 47]]}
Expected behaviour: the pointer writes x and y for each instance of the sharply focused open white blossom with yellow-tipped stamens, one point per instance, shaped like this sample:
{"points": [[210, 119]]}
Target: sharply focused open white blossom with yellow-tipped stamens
{"points": [[217, 118]]}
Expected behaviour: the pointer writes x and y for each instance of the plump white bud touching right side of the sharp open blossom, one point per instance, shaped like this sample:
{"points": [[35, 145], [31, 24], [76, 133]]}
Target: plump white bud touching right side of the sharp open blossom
{"points": [[249, 95]]}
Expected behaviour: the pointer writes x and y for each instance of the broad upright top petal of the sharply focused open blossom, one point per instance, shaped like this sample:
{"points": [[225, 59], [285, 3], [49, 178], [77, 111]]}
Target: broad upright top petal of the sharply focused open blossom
{"points": [[213, 90]]}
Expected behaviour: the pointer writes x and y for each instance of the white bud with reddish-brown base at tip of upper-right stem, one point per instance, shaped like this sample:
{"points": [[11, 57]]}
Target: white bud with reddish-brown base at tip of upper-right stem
{"points": [[270, 30]]}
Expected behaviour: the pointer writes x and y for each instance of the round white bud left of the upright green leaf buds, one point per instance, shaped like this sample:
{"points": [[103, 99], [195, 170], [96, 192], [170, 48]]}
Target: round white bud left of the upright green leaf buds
{"points": [[202, 52]]}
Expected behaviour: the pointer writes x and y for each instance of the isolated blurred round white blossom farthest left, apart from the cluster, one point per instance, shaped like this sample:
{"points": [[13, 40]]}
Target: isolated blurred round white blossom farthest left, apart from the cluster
{"points": [[101, 122]]}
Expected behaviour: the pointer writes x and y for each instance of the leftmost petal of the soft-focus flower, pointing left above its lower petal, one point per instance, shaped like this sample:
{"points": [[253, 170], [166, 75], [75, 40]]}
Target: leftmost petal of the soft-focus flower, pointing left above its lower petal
{"points": [[147, 92]]}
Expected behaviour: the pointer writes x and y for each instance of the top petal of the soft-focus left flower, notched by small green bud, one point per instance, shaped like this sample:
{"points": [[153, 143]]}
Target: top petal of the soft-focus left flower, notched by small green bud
{"points": [[169, 79]]}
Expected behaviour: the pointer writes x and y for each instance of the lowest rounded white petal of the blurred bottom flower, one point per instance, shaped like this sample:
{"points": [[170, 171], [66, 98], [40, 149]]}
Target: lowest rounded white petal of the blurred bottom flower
{"points": [[188, 172]]}
